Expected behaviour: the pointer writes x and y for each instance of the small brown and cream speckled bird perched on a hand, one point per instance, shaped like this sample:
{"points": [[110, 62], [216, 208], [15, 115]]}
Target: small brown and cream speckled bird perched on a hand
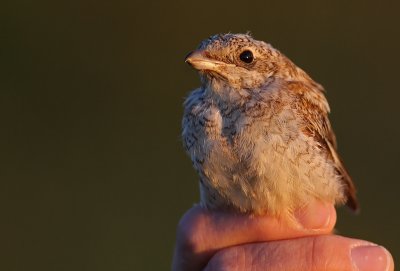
{"points": [[257, 131]]}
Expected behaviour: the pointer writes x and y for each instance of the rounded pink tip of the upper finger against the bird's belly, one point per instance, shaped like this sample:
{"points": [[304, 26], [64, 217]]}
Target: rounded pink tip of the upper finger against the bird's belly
{"points": [[315, 216]]}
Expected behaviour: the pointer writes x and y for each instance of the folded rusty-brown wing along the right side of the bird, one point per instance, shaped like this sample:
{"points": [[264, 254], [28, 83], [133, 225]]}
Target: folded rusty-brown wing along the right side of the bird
{"points": [[314, 109]]}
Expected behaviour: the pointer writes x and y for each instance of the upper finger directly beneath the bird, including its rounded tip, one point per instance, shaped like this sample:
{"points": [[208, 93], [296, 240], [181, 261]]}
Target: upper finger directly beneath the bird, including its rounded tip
{"points": [[201, 233]]}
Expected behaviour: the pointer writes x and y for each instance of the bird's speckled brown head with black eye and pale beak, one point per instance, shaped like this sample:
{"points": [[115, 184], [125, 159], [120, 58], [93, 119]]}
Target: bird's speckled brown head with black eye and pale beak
{"points": [[237, 61]]}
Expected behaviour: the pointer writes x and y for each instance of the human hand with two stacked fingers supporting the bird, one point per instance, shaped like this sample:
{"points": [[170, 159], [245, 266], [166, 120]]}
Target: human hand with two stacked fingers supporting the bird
{"points": [[209, 240]]}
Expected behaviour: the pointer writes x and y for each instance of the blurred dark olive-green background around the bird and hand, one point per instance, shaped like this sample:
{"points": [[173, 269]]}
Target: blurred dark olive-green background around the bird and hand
{"points": [[92, 172]]}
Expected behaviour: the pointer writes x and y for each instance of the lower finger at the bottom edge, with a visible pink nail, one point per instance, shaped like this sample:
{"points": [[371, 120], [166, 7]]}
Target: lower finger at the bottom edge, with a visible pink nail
{"points": [[308, 253]]}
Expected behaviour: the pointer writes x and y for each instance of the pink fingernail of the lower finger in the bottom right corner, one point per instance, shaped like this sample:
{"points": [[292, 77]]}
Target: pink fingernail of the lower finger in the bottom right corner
{"points": [[367, 258]]}
